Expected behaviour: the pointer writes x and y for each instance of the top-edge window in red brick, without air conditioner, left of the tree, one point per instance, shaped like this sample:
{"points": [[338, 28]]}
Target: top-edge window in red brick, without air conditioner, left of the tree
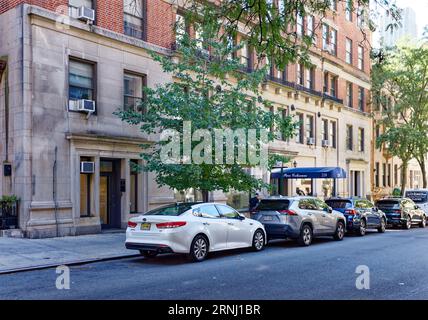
{"points": [[133, 18]]}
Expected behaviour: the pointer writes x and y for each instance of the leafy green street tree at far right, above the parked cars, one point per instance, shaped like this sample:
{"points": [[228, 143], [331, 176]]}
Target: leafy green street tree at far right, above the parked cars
{"points": [[400, 86]]}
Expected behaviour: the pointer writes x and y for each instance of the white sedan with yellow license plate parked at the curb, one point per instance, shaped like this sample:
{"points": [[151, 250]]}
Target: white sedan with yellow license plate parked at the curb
{"points": [[193, 228]]}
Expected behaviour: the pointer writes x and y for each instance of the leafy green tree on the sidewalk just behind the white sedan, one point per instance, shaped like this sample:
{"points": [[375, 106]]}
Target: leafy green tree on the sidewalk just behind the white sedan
{"points": [[210, 96]]}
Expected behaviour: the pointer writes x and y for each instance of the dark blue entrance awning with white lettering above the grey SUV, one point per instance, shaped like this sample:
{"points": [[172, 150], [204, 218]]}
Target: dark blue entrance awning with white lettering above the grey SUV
{"points": [[310, 173]]}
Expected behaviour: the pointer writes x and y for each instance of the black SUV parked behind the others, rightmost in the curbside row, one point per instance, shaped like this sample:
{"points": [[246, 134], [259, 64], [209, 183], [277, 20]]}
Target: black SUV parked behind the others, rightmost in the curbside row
{"points": [[402, 212]]}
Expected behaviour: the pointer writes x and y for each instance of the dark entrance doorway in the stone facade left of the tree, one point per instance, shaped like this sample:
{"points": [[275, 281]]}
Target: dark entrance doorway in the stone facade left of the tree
{"points": [[110, 195]]}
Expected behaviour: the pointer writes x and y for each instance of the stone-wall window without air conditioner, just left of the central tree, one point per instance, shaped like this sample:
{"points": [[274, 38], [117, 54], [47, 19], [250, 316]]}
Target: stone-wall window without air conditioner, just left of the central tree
{"points": [[133, 93]]}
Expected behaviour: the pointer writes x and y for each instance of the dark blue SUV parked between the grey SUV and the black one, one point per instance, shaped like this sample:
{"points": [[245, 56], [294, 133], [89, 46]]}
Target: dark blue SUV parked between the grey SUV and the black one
{"points": [[360, 214]]}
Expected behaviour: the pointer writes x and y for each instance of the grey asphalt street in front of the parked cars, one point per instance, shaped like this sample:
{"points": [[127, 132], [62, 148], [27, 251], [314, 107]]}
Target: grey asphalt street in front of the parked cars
{"points": [[397, 262]]}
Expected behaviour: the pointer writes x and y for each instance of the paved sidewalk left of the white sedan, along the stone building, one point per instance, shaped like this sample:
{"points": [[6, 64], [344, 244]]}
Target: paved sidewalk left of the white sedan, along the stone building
{"points": [[28, 254]]}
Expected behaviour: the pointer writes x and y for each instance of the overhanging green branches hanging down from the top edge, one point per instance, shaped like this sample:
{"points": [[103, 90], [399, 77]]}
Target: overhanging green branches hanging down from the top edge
{"points": [[271, 25]]}
